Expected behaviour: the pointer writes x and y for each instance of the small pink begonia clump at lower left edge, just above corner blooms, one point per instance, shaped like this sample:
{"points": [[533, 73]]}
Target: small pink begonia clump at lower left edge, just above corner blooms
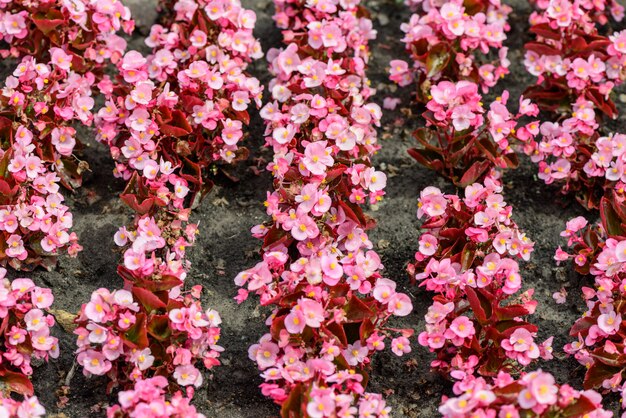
{"points": [[25, 331]]}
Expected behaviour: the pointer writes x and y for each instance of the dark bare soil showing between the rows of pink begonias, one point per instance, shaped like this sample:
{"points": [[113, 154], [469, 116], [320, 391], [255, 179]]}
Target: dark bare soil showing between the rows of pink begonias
{"points": [[226, 247]]}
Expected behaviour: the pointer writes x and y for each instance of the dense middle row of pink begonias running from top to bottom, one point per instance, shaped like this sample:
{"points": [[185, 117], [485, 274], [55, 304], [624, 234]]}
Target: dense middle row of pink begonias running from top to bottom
{"points": [[319, 271]]}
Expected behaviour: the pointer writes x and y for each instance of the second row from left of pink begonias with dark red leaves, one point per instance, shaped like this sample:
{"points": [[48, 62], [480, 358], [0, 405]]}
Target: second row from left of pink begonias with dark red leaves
{"points": [[171, 119]]}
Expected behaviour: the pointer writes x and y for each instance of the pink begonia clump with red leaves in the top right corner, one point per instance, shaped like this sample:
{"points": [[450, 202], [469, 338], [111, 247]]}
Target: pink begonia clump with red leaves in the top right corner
{"points": [[577, 69]]}
